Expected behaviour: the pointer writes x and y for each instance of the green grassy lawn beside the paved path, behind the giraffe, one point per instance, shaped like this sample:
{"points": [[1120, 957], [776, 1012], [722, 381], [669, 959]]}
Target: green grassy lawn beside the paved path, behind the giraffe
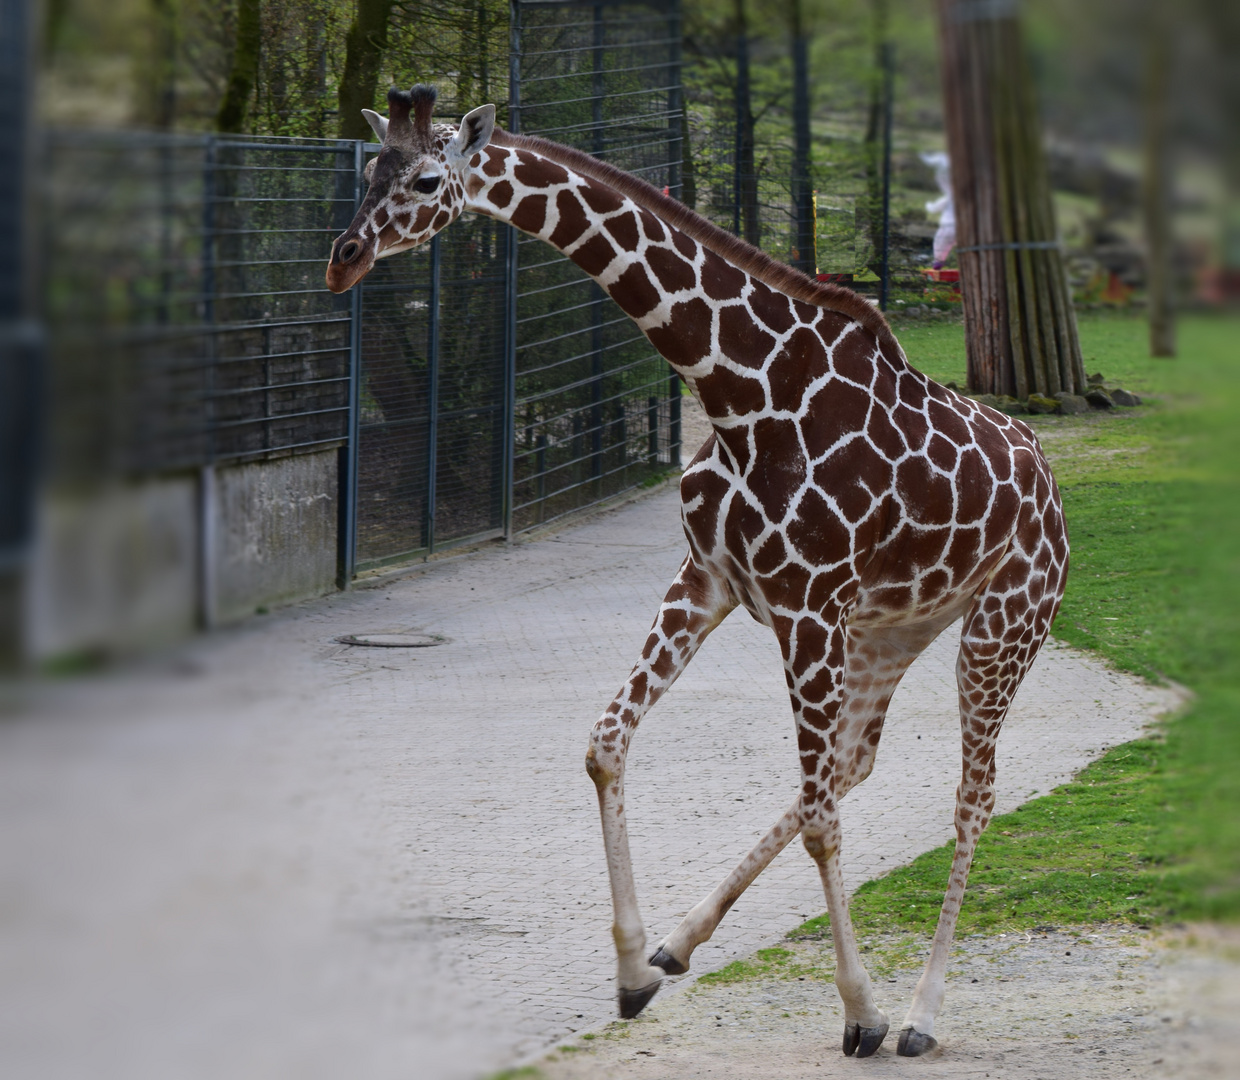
{"points": [[1151, 833]]}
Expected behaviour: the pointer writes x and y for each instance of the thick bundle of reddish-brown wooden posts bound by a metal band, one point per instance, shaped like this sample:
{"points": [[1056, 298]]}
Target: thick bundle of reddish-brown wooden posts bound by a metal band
{"points": [[1020, 328]]}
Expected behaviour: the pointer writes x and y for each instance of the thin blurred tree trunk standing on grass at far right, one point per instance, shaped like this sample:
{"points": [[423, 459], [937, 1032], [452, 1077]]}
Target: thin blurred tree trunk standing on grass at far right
{"points": [[1156, 197]]}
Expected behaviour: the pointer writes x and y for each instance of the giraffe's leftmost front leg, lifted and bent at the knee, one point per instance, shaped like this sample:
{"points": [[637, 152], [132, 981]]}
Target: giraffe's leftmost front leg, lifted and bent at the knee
{"points": [[694, 607]]}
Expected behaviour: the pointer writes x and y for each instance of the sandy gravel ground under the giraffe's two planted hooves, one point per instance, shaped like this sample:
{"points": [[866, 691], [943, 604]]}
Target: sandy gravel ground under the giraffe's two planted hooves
{"points": [[1046, 1005]]}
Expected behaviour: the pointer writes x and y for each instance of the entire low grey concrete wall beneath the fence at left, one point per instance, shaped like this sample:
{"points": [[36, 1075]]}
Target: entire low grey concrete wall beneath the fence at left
{"points": [[122, 569]]}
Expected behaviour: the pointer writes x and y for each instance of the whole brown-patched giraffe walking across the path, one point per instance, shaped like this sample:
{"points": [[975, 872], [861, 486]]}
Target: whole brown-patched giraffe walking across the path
{"points": [[845, 500]]}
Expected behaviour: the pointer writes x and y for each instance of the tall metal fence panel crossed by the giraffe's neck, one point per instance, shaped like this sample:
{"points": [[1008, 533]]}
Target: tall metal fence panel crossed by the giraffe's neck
{"points": [[597, 409]]}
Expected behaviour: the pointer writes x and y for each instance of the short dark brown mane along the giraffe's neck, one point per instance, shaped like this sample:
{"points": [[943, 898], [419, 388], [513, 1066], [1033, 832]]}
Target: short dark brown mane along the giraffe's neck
{"points": [[779, 276]]}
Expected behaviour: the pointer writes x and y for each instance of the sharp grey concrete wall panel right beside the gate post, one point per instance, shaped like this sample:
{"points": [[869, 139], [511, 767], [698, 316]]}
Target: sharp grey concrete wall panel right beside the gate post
{"points": [[276, 538]]}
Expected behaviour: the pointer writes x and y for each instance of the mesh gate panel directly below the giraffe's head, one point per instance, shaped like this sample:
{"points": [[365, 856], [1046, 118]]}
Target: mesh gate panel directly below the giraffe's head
{"points": [[432, 406]]}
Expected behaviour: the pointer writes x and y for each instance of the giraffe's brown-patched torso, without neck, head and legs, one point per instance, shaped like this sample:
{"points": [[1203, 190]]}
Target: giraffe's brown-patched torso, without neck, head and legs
{"points": [[870, 490]]}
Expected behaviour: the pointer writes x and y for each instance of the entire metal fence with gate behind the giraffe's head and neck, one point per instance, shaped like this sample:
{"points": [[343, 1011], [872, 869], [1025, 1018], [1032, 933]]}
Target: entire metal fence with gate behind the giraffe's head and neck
{"points": [[478, 387]]}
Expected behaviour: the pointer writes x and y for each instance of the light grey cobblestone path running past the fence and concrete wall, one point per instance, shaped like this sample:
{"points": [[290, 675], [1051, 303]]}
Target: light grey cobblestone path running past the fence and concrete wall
{"points": [[265, 854]]}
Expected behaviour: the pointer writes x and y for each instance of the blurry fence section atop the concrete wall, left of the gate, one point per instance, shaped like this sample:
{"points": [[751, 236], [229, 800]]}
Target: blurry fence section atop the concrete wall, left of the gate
{"points": [[185, 317]]}
